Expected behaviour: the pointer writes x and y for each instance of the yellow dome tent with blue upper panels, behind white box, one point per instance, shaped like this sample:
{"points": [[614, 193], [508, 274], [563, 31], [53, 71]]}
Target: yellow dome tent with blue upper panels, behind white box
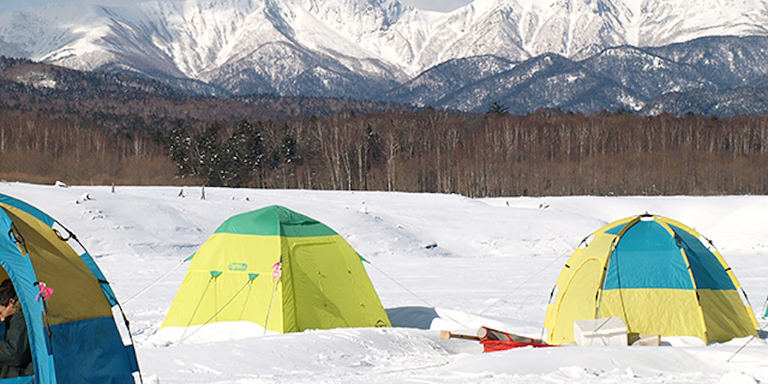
{"points": [[658, 275]]}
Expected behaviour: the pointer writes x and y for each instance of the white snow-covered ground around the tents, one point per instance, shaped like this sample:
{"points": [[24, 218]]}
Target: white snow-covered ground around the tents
{"points": [[494, 263]]}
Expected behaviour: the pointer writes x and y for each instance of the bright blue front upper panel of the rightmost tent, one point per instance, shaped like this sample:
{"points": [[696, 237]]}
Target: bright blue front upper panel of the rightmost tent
{"points": [[647, 256]]}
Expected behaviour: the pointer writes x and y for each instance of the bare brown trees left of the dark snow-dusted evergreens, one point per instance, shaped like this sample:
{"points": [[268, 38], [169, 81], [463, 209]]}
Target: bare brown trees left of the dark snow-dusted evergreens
{"points": [[44, 149]]}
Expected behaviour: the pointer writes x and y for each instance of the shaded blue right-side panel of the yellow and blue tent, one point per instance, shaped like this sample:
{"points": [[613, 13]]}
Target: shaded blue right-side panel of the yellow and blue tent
{"points": [[706, 269]]}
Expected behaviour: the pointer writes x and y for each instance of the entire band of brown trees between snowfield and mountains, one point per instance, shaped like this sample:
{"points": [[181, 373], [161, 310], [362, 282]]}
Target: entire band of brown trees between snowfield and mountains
{"points": [[496, 154]]}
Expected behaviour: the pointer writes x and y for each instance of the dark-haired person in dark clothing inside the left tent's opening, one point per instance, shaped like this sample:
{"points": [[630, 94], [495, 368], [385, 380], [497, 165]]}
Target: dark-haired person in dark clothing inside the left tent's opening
{"points": [[15, 355]]}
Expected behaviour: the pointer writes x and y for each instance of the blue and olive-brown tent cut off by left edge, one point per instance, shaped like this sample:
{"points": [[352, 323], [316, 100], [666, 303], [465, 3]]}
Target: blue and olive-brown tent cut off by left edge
{"points": [[72, 333]]}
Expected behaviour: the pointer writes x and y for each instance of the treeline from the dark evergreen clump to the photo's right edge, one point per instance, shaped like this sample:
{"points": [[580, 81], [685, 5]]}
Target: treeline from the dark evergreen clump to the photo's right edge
{"points": [[547, 153]]}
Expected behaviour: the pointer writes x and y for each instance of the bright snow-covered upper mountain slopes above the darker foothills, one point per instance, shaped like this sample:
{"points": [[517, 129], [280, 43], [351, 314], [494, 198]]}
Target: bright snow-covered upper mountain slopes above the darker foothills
{"points": [[408, 39]]}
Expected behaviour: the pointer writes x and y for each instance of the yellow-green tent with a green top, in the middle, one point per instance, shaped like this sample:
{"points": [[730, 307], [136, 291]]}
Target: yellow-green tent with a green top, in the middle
{"points": [[279, 270]]}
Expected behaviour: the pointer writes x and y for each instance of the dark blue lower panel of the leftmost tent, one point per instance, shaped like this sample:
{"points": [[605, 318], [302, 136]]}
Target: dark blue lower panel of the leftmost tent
{"points": [[93, 346]]}
